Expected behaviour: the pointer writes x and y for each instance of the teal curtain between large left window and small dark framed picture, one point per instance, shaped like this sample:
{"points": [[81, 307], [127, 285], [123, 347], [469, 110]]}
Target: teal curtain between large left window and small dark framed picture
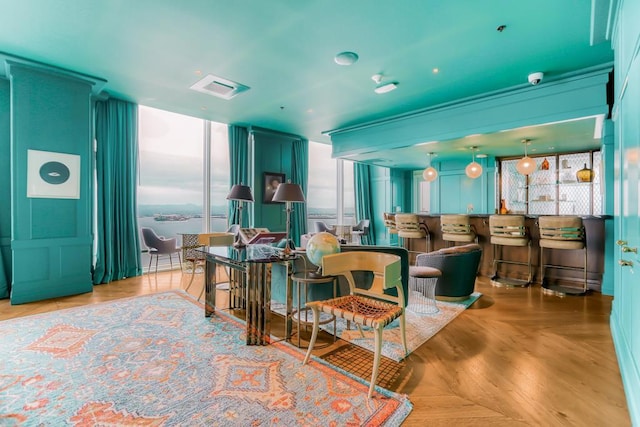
{"points": [[239, 171]]}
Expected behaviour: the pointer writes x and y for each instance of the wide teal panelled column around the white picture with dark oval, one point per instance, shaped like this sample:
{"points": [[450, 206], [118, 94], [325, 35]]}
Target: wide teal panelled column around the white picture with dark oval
{"points": [[51, 238]]}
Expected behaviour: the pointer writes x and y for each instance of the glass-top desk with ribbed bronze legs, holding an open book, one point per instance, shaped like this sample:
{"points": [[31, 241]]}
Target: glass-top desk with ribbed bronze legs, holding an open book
{"points": [[249, 274]]}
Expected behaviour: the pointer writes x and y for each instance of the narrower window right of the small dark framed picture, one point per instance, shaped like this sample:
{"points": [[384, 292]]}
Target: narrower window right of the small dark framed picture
{"points": [[330, 196]]}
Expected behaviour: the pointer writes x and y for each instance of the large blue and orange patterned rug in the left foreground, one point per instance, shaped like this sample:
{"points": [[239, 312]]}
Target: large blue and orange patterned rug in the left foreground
{"points": [[155, 360]]}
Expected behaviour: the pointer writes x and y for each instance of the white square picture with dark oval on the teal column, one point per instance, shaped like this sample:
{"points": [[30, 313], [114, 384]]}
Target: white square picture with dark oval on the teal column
{"points": [[53, 175]]}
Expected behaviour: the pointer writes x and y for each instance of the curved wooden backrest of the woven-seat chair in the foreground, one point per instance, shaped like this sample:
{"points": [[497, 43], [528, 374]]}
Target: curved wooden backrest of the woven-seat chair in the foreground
{"points": [[386, 268]]}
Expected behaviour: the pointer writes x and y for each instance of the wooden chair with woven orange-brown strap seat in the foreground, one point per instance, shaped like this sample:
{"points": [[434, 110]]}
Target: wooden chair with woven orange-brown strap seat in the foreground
{"points": [[365, 307]]}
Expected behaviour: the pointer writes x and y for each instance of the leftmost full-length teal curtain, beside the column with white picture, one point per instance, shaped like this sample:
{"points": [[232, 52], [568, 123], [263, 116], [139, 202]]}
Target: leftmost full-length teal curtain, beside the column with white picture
{"points": [[118, 241]]}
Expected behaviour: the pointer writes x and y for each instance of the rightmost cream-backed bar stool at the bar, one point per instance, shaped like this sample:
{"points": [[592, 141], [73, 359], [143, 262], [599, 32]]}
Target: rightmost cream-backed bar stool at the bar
{"points": [[566, 233]]}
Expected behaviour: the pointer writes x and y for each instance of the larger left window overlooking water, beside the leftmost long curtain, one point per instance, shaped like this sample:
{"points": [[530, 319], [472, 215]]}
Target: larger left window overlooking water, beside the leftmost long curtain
{"points": [[172, 178]]}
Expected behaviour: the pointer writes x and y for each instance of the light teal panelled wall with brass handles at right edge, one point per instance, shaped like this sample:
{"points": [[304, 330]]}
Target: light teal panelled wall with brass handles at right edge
{"points": [[625, 316]]}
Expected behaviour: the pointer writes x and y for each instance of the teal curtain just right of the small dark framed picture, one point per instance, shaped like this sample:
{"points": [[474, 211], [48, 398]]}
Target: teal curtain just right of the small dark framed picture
{"points": [[300, 176]]}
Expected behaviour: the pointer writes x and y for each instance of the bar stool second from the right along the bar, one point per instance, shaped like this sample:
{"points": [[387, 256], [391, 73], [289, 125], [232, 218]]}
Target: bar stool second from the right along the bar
{"points": [[509, 230]]}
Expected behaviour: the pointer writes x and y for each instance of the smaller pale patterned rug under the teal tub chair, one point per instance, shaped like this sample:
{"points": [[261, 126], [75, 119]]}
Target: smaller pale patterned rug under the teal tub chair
{"points": [[419, 328]]}
